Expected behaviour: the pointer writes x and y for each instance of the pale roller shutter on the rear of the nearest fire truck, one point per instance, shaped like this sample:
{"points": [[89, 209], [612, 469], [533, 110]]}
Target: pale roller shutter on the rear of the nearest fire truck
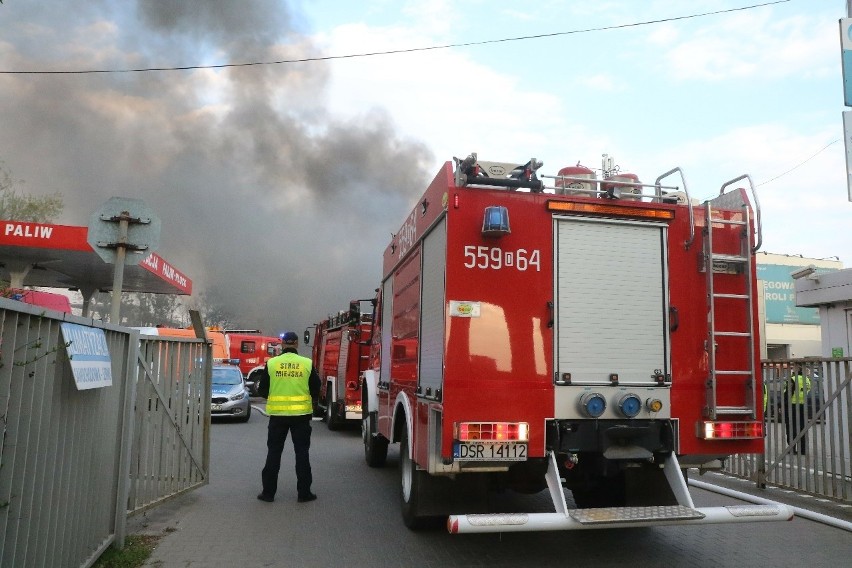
{"points": [[610, 310]]}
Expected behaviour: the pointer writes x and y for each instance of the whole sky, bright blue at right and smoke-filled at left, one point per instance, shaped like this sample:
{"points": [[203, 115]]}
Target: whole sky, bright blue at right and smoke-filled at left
{"points": [[278, 186]]}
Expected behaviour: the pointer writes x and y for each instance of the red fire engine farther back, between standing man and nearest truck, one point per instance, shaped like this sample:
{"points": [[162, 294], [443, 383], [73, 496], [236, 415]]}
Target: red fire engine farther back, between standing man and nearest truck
{"points": [[340, 354]]}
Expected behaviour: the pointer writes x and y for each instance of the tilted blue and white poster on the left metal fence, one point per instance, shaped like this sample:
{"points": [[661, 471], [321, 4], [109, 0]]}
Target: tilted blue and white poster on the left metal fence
{"points": [[89, 355]]}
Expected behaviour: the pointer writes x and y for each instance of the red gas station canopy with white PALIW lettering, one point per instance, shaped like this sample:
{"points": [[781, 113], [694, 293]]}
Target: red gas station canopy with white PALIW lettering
{"points": [[59, 256]]}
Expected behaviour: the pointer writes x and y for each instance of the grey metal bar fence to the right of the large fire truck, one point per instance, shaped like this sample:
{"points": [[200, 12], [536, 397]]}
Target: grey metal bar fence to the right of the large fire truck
{"points": [[808, 446]]}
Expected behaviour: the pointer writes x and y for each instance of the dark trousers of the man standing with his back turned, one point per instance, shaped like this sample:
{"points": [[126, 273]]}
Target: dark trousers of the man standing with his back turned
{"points": [[279, 427]]}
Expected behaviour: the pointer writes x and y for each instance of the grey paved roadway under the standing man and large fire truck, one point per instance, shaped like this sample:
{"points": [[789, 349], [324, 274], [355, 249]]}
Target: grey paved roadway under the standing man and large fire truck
{"points": [[356, 522]]}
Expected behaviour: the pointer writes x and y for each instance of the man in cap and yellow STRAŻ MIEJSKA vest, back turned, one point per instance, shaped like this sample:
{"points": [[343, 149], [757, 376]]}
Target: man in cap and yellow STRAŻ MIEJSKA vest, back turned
{"points": [[290, 384]]}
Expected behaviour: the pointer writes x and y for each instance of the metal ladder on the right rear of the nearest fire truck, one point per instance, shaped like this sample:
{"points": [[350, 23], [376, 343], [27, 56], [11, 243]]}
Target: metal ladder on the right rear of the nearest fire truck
{"points": [[717, 263]]}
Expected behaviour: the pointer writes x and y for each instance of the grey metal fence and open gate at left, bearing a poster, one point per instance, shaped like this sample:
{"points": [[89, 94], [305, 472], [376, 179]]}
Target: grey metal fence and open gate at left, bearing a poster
{"points": [[75, 463]]}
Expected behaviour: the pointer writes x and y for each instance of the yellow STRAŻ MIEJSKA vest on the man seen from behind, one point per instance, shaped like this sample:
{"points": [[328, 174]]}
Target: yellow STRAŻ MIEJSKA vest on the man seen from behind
{"points": [[289, 394]]}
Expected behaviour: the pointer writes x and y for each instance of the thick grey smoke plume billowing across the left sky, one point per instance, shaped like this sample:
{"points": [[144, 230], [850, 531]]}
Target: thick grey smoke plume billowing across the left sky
{"points": [[266, 199]]}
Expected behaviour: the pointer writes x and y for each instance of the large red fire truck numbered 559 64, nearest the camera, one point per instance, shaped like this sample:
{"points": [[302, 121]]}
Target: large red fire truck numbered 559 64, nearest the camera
{"points": [[595, 334]]}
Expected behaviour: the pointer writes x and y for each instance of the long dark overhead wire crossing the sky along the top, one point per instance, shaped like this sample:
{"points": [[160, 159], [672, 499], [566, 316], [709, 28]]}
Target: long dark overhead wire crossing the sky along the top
{"points": [[394, 51]]}
